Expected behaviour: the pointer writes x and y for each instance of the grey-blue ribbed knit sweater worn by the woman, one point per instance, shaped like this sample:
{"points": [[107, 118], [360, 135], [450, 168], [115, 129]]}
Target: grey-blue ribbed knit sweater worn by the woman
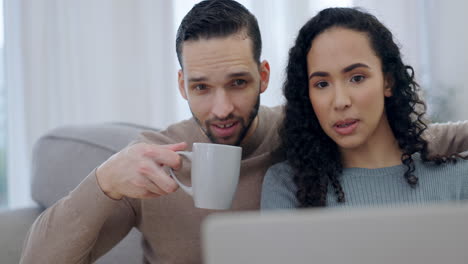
{"points": [[375, 187]]}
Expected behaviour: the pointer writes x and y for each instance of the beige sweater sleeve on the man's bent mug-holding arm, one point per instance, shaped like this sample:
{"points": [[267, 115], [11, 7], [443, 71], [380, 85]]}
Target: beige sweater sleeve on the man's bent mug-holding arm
{"points": [[79, 228]]}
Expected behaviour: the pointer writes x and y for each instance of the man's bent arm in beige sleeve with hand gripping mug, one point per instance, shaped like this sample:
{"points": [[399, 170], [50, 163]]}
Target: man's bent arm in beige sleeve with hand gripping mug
{"points": [[97, 214]]}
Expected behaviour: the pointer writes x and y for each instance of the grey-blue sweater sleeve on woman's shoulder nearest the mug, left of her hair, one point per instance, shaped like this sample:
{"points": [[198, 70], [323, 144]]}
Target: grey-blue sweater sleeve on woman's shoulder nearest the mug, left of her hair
{"points": [[278, 189]]}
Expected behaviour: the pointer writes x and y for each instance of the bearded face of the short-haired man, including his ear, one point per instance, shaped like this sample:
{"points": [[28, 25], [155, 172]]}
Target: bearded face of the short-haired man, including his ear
{"points": [[222, 83]]}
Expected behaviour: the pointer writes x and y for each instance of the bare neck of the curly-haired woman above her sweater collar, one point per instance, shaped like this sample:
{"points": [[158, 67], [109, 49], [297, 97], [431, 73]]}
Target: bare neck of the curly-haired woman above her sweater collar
{"points": [[379, 151]]}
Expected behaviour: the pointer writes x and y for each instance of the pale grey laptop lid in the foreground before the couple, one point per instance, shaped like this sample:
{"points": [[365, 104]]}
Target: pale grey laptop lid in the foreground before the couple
{"points": [[417, 235]]}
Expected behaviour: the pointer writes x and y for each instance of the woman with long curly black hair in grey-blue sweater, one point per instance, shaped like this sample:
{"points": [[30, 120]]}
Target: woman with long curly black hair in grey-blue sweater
{"points": [[353, 123]]}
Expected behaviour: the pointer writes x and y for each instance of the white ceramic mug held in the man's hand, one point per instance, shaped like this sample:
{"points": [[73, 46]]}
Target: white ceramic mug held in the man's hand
{"points": [[215, 174]]}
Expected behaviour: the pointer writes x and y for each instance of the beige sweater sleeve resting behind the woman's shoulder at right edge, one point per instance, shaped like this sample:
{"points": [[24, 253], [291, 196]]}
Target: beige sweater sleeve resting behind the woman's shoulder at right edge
{"points": [[447, 138]]}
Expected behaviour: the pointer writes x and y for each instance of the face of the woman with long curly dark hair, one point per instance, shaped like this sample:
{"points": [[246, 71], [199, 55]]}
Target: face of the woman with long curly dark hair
{"points": [[347, 87]]}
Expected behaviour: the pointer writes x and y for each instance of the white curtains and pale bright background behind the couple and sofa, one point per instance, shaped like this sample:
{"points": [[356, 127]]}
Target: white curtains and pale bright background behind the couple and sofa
{"points": [[93, 61]]}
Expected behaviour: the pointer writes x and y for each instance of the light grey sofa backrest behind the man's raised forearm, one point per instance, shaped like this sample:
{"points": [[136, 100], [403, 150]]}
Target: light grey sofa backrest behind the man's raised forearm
{"points": [[63, 157]]}
